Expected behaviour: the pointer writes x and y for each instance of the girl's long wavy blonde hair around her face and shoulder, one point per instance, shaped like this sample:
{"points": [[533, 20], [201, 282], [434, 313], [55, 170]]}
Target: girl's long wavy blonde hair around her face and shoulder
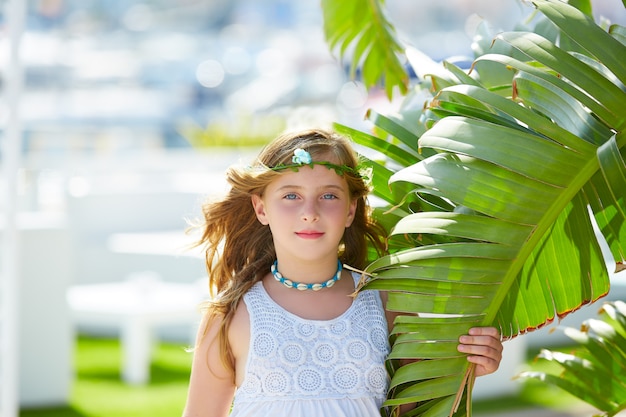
{"points": [[239, 250]]}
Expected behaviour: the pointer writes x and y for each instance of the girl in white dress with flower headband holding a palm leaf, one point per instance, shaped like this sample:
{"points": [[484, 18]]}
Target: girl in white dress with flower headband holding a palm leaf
{"points": [[284, 337]]}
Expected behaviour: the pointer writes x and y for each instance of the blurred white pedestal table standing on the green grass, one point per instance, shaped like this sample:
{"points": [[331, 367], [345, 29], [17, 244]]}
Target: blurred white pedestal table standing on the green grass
{"points": [[136, 307]]}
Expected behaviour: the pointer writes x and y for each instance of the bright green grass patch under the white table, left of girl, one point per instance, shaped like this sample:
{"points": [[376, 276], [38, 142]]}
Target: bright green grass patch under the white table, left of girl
{"points": [[99, 392]]}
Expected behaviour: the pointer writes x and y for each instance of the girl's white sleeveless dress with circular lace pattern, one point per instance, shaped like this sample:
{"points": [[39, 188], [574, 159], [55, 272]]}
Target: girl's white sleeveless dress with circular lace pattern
{"points": [[314, 368]]}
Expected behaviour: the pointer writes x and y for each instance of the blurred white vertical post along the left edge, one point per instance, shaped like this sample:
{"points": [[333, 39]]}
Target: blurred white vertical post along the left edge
{"points": [[15, 12]]}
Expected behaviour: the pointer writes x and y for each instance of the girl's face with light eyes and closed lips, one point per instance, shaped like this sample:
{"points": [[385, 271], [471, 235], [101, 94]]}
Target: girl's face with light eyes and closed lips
{"points": [[307, 212]]}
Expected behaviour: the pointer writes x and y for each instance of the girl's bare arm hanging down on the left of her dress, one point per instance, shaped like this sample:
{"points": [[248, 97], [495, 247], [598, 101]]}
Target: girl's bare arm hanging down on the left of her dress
{"points": [[211, 385]]}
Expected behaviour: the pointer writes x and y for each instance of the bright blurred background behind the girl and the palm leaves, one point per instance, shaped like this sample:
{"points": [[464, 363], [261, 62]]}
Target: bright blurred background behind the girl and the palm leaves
{"points": [[129, 114]]}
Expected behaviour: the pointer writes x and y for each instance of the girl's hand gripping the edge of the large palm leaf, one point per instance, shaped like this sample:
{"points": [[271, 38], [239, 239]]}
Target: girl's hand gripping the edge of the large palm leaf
{"points": [[484, 347]]}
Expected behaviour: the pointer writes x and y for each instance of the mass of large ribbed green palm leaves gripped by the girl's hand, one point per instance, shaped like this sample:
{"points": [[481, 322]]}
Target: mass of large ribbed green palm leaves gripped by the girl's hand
{"points": [[493, 219]]}
